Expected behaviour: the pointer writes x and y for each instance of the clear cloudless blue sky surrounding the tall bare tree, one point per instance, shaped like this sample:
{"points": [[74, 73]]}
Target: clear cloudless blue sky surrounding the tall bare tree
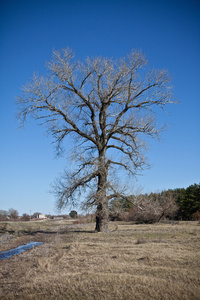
{"points": [[168, 32]]}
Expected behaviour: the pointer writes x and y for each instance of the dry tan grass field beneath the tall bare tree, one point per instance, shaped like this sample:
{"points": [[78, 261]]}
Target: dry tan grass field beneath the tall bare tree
{"points": [[159, 261]]}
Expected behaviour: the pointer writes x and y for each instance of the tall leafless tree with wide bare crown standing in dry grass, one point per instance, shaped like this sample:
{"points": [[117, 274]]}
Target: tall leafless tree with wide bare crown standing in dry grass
{"points": [[107, 106]]}
